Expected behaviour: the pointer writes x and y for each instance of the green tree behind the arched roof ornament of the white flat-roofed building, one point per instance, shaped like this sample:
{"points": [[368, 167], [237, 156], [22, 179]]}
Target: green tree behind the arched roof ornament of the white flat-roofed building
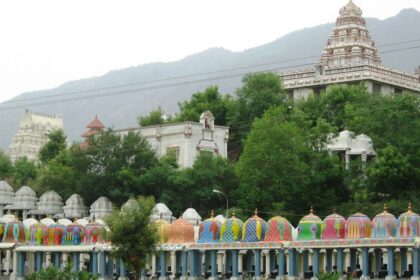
{"points": [[209, 100]]}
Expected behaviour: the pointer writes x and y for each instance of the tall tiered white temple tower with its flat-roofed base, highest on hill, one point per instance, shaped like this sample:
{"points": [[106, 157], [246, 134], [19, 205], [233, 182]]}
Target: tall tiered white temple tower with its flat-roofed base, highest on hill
{"points": [[350, 57]]}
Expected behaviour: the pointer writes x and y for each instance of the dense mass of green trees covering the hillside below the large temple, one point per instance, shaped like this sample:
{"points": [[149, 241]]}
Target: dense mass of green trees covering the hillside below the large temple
{"points": [[277, 161]]}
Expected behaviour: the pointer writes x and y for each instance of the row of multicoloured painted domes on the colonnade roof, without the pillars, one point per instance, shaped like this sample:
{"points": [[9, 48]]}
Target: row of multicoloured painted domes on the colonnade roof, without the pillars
{"points": [[213, 230]]}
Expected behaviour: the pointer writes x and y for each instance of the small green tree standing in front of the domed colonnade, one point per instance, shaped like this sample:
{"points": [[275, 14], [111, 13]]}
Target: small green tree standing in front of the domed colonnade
{"points": [[133, 235]]}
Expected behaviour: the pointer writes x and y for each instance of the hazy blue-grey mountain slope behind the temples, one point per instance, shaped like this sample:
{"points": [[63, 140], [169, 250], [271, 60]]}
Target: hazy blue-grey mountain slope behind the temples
{"points": [[127, 93]]}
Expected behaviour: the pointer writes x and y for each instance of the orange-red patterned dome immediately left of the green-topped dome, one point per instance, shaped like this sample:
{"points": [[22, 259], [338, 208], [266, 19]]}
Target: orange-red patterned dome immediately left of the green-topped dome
{"points": [[279, 229]]}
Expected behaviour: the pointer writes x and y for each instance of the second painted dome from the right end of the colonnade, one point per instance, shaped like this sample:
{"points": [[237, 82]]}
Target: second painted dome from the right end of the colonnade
{"points": [[384, 225]]}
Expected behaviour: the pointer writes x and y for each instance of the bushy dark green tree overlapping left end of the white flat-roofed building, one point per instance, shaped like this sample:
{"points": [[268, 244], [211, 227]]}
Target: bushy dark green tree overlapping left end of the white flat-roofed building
{"points": [[112, 166]]}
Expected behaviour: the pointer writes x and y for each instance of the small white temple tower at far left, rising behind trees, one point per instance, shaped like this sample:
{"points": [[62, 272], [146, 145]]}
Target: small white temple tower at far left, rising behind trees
{"points": [[33, 134]]}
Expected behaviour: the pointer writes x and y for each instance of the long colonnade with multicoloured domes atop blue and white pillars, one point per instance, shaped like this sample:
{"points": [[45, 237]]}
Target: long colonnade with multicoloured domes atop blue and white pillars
{"points": [[225, 247]]}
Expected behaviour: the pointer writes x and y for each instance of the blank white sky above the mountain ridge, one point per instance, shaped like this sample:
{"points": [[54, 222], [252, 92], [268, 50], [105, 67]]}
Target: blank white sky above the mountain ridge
{"points": [[45, 43]]}
